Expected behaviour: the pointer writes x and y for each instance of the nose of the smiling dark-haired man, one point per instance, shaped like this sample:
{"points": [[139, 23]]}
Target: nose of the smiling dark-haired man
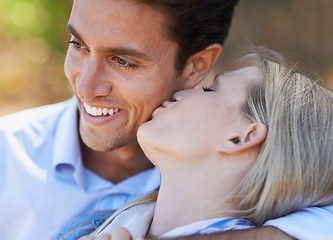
{"points": [[93, 81]]}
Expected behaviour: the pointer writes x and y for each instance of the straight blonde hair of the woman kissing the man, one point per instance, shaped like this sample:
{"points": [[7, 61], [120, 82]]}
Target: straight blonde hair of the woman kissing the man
{"points": [[294, 169]]}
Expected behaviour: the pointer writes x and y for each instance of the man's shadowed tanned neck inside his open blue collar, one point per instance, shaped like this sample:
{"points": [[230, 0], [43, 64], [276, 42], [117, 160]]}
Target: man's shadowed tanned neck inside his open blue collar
{"points": [[116, 165]]}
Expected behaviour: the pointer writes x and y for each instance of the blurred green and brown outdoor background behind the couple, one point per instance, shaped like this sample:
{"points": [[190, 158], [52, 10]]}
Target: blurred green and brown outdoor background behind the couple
{"points": [[33, 43]]}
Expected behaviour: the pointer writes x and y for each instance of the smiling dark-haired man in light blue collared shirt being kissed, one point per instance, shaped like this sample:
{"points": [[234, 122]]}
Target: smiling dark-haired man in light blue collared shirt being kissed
{"points": [[125, 58]]}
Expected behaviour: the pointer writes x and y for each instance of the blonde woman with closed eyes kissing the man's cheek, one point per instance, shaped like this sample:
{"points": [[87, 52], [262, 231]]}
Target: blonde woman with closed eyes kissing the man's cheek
{"points": [[254, 146]]}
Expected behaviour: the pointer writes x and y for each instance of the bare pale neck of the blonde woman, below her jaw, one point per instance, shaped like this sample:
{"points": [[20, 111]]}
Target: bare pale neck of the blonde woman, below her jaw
{"points": [[189, 196]]}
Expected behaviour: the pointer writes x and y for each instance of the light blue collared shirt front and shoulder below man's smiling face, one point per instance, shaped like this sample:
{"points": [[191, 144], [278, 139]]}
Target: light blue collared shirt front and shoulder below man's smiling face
{"points": [[43, 184]]}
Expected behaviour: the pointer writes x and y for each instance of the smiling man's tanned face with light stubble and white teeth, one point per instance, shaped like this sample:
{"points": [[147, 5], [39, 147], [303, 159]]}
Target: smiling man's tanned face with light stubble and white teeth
{"points": [[120, 66]]}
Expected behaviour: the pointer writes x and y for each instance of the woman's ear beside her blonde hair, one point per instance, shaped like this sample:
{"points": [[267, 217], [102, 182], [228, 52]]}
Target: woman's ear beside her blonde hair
{"points": [[253, 136]]}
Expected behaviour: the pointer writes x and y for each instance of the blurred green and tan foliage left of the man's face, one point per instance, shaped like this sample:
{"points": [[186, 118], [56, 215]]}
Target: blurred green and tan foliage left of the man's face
{"points": [[32, 50]]}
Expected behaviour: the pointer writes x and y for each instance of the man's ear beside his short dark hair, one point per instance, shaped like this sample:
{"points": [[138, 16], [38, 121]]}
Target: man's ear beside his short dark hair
{"points": [[200, 64]]}
